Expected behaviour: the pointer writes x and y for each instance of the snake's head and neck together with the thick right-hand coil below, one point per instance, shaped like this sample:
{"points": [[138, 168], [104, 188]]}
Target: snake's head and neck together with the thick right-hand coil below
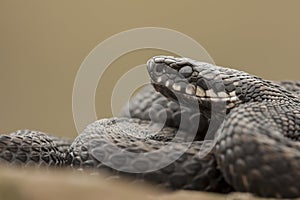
{"points": [[257, 145]]}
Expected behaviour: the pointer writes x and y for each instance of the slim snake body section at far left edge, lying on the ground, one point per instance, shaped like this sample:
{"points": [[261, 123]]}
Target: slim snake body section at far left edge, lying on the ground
{"points": [[32, 148]]}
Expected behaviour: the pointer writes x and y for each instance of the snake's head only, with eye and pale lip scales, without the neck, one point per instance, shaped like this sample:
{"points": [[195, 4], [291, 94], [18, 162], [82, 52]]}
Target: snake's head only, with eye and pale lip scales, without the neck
{"points": [[188, 80]]}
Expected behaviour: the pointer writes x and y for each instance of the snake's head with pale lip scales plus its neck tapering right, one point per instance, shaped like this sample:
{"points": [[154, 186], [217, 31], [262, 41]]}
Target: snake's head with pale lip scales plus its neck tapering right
{"points": [[187, 79]]}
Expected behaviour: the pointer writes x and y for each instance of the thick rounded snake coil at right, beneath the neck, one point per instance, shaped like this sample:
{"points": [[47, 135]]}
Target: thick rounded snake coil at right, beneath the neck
{"points": [[270, 161]]}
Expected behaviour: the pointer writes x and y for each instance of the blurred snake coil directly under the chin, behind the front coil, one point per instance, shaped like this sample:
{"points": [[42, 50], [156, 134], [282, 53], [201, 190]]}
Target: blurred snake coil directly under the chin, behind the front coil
{"points": [[151, 105]]}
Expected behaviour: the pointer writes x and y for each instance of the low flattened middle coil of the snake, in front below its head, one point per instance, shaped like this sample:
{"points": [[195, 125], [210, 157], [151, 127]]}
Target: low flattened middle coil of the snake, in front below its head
{"points": [[92, 149]]}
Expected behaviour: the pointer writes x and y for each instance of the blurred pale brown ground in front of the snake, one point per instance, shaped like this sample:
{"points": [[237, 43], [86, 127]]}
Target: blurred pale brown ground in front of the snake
{"points": [[39, 184]]}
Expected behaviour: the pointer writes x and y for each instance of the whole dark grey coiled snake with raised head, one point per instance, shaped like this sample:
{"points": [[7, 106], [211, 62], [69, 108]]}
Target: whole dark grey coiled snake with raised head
{"points": [[162, 135]]}
